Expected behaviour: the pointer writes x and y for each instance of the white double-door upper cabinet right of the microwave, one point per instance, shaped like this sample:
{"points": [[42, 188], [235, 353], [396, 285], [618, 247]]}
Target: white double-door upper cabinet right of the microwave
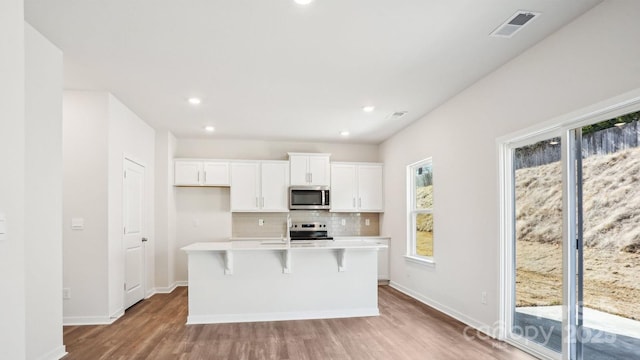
{"points": [[356, 187]]}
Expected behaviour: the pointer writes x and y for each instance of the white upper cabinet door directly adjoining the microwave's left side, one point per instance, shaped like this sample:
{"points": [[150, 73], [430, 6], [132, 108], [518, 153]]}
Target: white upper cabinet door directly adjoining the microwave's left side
{"points": [[275, 186]]}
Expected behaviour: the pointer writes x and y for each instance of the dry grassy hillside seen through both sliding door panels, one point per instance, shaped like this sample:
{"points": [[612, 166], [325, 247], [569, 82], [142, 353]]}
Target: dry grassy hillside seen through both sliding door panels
{"points": [[611, 195]]}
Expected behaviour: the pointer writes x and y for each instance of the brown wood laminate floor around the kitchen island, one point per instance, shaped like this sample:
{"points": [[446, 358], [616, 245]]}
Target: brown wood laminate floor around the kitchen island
{"points": [[406, 329]]}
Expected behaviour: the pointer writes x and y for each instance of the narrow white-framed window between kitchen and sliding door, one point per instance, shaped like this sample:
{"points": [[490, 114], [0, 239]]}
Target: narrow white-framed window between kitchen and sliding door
{"points": [[420, 210]]}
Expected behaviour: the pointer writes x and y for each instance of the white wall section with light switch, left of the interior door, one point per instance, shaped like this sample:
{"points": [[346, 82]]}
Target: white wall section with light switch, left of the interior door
{"points": [[85, 130]]}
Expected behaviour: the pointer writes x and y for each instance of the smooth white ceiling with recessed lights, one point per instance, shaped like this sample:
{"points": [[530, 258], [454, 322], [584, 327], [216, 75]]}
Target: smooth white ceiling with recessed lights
{"points": [[275, 70]]}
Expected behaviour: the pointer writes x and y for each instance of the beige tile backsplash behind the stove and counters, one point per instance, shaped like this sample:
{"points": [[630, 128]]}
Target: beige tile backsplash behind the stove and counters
{"points": [[275, 224]]}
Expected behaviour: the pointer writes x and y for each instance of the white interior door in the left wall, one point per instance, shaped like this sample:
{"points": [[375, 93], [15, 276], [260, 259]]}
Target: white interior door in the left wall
{"points": [[133, 203]]}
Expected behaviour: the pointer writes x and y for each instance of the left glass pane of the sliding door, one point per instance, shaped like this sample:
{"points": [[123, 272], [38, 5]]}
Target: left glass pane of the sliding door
{"points": [[537, 241]]}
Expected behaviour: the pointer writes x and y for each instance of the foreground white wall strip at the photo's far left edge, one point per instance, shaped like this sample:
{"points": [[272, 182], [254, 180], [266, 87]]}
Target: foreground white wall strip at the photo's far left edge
{"points": [[12, 158]]}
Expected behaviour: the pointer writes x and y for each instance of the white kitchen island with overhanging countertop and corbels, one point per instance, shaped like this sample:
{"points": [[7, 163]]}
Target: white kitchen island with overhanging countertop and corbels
{"points": [[272, 279]]}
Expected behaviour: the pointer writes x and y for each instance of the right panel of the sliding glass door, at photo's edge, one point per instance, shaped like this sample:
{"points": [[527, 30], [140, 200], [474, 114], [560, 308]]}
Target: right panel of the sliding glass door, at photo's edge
{"points": [[608, 258]]}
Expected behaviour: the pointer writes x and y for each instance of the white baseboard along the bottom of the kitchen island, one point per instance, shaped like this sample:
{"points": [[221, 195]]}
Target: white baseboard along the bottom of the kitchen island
{"points": [[259, 317]]}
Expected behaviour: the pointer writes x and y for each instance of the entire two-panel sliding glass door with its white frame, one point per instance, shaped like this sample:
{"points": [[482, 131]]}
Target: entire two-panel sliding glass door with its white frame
{"points": [[572, 230]]}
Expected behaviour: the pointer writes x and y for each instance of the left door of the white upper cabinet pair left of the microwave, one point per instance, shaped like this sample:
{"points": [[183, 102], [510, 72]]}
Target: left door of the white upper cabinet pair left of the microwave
{"points": [[244, 186]]}
